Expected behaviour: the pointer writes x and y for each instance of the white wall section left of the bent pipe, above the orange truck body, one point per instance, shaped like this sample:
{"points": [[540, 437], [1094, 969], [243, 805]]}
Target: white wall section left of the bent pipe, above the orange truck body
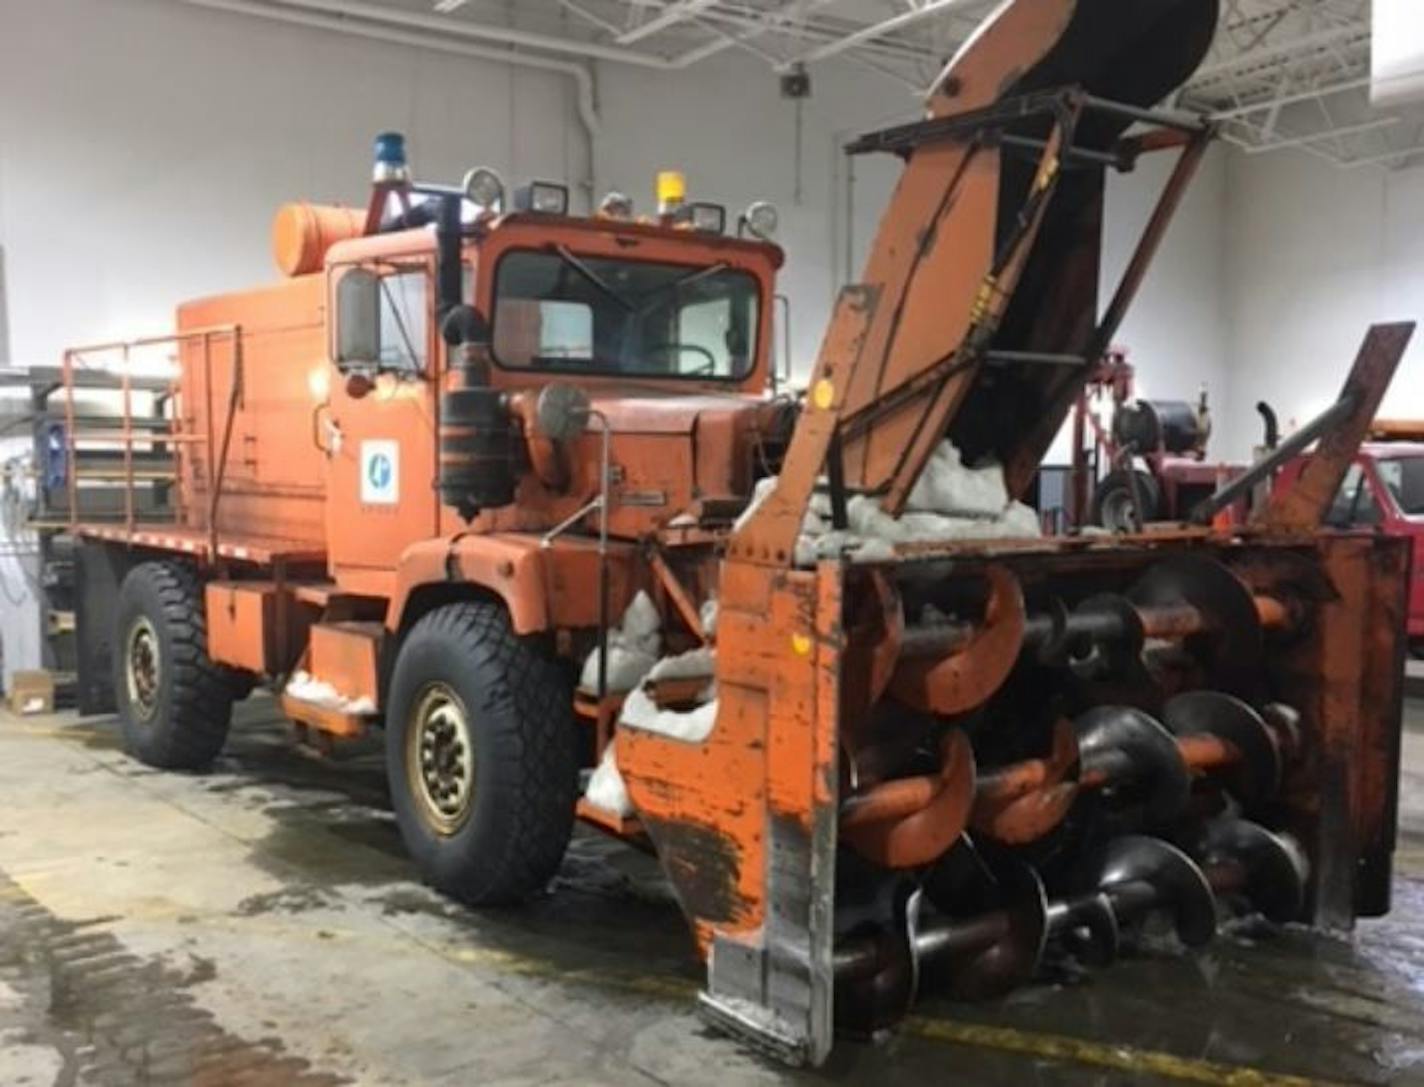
{"points": [[145, 147]]}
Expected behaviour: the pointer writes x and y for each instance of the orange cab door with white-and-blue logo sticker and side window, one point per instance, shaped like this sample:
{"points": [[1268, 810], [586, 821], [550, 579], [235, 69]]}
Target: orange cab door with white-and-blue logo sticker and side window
{"points": [[381, 425]]}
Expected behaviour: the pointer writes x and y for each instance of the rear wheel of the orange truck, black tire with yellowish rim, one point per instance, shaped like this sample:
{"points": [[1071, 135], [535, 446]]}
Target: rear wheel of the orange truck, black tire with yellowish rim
{"points": [[174, 703]]}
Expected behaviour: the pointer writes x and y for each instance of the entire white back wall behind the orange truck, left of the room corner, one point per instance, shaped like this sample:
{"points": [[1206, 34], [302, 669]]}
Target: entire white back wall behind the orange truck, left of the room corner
{"points": [[145, 147]]}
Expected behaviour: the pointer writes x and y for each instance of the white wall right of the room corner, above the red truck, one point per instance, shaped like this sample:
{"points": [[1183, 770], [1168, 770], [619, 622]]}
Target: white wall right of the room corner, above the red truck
{"points": [[1315, 256]]}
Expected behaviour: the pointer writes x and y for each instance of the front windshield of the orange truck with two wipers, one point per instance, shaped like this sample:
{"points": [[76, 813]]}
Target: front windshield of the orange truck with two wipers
{"points": [[559, 311]]}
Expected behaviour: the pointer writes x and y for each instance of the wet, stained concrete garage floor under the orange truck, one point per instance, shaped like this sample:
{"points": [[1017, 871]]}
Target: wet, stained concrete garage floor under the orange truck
{"points": [[260, 925]]}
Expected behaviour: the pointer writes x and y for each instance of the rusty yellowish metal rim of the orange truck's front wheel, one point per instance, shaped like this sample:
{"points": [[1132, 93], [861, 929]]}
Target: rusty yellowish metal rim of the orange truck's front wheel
{"points": [[441, 759]]}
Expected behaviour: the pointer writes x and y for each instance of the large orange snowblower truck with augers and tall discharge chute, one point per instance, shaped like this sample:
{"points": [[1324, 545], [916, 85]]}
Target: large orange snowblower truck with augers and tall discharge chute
{"points": [[511, 485]]}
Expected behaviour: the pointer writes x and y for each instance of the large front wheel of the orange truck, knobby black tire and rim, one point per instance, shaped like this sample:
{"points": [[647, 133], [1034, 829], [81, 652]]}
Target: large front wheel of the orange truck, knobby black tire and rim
{"points": [[482, 756]]}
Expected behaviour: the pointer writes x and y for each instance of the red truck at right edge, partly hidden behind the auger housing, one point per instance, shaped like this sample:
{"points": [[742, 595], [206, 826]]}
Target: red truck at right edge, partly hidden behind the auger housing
{"points": [[1385, 489]]}
